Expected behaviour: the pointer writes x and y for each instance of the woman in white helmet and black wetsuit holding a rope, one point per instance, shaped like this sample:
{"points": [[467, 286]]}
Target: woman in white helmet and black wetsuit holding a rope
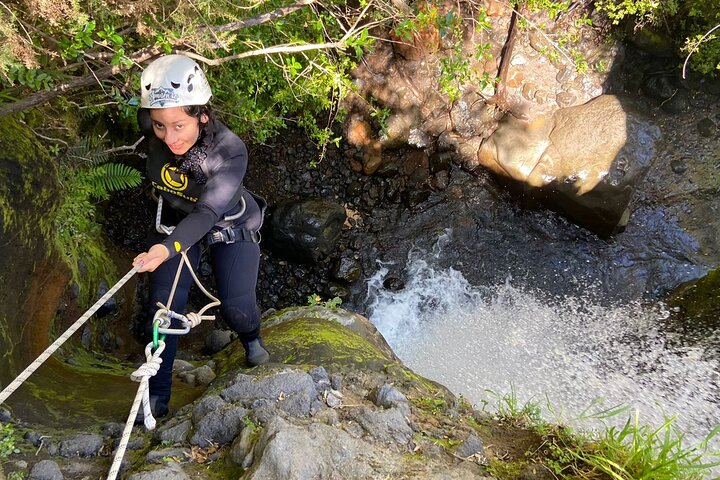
{"points": [[197, 165]]}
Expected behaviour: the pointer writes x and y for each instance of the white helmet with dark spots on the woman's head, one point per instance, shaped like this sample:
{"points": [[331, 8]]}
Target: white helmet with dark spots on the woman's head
{"points": [[173, 81]]}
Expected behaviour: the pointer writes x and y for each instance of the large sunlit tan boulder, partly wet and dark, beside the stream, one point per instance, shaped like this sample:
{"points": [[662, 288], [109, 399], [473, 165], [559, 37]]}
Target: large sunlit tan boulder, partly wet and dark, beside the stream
{"points": [[585, 160]]}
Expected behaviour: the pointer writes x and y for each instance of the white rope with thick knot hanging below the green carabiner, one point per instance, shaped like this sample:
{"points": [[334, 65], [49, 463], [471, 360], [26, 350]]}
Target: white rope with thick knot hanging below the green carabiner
{"points": [[142, 375]]}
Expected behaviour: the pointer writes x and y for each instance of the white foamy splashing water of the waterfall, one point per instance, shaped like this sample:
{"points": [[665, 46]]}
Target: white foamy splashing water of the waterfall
{"points": [[571, 352]]}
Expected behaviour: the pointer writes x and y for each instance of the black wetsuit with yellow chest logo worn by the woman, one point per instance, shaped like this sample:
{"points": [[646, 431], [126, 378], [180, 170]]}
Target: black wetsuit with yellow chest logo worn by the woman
{"points": [[197, 209]]}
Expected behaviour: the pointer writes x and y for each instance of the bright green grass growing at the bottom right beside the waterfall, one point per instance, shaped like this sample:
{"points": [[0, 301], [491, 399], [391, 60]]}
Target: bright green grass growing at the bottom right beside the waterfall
{"points": [[632, 452]]}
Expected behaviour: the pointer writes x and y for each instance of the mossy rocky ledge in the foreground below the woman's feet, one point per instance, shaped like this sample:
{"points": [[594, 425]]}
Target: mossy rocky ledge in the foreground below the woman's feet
{"points": [[333, 403]]}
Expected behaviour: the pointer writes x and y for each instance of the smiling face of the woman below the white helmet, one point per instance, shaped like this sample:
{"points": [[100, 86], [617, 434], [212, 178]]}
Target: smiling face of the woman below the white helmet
{"points": [[176, 128]]}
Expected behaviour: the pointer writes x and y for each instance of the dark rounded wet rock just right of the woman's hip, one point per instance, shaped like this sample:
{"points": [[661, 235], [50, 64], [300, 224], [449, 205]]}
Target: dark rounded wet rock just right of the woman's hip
{"points": [[306, 231]]}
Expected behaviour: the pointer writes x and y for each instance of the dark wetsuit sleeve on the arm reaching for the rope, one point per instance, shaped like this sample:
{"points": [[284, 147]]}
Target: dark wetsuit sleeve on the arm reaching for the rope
{"points": [[217, 197]]}
